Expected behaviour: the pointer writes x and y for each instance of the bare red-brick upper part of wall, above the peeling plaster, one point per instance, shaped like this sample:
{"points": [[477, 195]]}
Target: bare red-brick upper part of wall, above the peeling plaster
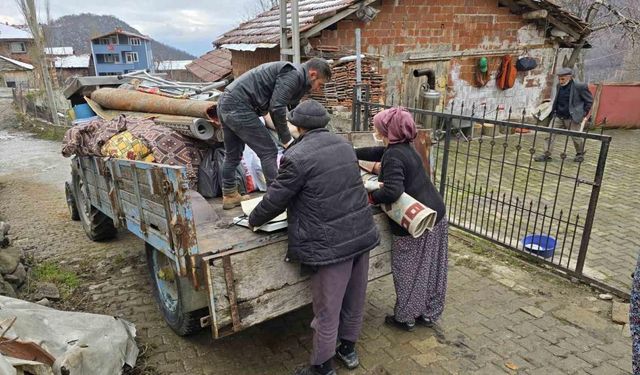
{"points": [[414, 25]]}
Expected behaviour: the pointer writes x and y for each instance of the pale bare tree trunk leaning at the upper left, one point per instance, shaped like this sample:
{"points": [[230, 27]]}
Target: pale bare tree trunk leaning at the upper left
{"points": [[28, 10]]}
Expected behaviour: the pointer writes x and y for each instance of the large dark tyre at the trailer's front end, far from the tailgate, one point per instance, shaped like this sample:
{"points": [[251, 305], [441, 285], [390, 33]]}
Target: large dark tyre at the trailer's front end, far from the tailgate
{"points": [[97, 226]]}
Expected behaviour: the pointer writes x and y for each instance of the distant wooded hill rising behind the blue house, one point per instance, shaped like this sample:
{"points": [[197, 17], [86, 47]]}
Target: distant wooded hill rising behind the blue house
{"points": [[76, 30]]}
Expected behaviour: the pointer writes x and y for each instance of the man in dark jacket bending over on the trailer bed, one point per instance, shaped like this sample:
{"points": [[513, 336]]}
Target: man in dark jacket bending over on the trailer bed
{"points": [[269, 88]]}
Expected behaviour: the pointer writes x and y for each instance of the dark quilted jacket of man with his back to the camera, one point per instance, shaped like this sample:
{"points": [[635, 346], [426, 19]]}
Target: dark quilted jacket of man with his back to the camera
{"points": [[329, 219]]}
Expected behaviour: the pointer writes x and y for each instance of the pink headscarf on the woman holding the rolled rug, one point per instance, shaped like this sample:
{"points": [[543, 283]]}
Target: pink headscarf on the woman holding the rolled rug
{"points": [[396, 124]]}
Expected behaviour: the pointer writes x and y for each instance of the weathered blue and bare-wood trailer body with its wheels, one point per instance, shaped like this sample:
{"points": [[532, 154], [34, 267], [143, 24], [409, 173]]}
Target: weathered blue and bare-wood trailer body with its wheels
{"points": [[205, 270]]}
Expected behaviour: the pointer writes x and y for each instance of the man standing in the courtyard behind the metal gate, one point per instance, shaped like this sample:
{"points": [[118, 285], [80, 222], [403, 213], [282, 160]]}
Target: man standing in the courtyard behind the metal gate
{"points": [[571, 108]]}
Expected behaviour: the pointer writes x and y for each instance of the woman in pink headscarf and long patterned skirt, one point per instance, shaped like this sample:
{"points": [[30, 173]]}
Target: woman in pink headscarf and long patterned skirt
{"points": [[419, 265]]}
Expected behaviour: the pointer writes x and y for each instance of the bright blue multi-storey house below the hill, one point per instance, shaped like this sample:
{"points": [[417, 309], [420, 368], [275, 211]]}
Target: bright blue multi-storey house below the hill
{"points": [[120, 52]]}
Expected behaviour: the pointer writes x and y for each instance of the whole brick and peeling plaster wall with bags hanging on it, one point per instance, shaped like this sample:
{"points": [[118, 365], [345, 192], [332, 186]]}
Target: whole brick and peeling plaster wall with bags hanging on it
{"points": [[449, 28]]}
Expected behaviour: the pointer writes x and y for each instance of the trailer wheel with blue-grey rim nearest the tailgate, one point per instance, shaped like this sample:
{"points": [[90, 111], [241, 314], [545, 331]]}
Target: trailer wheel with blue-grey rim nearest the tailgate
{"points": [[167, 291]]}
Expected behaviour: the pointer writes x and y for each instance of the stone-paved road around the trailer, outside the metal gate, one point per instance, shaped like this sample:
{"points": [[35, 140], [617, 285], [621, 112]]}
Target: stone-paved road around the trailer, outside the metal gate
{"points": [[484, 330]]}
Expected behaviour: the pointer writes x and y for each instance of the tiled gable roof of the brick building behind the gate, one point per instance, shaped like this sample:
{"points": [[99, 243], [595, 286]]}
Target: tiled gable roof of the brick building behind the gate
{"points": [[265, 28]]}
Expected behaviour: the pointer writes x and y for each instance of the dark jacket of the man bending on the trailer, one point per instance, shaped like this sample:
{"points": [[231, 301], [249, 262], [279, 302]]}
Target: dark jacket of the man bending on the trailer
{"points": [[272, 88]]}
